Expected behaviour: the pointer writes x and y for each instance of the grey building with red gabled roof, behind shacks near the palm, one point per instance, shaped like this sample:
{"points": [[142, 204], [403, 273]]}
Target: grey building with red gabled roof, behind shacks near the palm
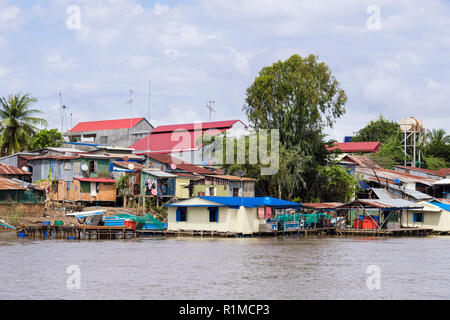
{"points": [[116, 133]]}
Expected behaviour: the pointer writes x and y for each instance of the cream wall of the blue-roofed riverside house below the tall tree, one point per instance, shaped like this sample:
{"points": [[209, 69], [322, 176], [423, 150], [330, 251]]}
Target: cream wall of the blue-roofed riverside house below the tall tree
{"points": [[243, 220]]}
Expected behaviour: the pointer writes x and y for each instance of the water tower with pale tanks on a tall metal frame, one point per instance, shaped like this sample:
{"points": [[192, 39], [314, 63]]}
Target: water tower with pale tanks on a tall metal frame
{"points": [[413, 136]]}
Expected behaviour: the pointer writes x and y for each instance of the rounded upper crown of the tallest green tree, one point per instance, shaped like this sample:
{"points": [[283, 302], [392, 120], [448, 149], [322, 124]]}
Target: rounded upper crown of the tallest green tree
{"points": [[299, 97]]}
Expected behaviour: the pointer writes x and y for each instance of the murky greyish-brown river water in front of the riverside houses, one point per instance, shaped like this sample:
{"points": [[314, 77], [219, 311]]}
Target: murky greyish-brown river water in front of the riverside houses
{"points": [[237, 268]]}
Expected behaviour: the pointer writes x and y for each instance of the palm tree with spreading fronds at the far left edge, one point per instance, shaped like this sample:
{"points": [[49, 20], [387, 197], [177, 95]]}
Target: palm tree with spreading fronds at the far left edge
{"points": [[18, 122]]}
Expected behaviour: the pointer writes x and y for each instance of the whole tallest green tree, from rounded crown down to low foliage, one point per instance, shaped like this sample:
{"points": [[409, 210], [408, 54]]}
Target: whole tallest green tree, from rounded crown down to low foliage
{"points": [[299, 97]]}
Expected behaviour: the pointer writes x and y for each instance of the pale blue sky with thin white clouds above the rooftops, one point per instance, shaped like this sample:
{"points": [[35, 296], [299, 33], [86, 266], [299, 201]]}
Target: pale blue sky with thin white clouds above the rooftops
{"points": [[390, 57]]}
